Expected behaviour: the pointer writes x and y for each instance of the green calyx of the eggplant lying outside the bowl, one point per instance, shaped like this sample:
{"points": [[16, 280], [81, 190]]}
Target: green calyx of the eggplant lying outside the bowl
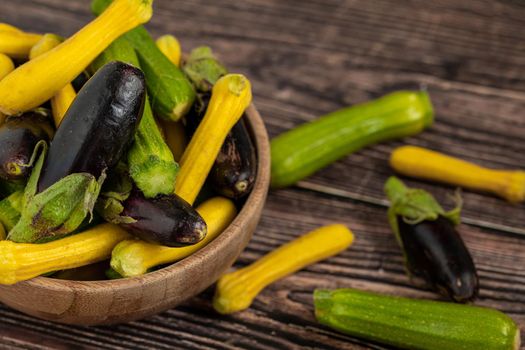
{"points": [[416, 205]]}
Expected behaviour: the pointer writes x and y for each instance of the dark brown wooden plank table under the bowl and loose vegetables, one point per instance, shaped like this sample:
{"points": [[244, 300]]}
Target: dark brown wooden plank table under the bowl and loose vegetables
{"points": [[306, 58]]}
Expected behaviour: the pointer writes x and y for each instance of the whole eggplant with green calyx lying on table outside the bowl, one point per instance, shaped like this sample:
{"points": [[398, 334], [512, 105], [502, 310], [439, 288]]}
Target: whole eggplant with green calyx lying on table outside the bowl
{"points": [[432, 247]]}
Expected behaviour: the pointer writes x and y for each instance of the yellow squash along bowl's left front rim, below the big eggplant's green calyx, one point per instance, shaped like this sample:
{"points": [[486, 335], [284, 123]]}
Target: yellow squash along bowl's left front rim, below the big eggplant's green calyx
{"points": [[23, 261]]}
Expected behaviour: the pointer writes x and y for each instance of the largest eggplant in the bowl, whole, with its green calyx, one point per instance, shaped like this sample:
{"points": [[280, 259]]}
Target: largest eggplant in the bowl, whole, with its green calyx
{"points": [[90, 141]]}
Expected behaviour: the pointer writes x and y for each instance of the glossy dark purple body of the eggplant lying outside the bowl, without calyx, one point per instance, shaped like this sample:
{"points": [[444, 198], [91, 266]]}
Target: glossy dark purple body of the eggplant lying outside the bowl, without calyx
{"points": [[436, 253]]}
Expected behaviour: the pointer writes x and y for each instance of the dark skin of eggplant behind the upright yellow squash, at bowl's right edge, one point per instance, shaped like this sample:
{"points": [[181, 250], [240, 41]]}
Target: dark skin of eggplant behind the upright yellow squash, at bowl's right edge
{"points": [[234, 171]]}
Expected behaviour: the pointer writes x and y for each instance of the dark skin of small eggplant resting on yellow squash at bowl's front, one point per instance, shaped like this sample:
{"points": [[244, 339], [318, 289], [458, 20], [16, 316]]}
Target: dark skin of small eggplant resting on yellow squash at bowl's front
{"points": [[166, 220]]}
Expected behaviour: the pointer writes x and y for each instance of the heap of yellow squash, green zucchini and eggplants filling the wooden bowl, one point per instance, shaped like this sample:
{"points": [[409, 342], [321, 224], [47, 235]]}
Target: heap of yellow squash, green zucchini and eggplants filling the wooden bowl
{"points": [[97, 148]]}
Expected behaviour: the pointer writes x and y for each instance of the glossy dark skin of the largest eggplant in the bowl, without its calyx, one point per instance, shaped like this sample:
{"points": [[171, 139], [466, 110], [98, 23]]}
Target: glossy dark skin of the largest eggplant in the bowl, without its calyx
{"points": [[99, 126]]}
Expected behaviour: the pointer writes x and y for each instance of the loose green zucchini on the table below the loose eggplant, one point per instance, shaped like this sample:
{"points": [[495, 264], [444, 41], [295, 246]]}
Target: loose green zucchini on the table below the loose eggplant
{"points": [[415, 324]]}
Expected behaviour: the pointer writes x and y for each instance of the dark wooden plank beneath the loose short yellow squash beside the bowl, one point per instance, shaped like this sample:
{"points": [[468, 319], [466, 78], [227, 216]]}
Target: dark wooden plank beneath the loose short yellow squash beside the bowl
{"points": [[282, 316]]}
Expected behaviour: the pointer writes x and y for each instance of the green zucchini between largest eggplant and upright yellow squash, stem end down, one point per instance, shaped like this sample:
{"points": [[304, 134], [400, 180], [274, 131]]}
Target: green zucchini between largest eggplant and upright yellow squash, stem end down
{"points": [[151, 163]]}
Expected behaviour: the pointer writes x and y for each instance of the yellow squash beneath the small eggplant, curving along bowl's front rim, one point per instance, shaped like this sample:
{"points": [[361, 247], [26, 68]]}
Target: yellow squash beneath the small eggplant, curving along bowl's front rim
{"points": [[135, 257]]}
